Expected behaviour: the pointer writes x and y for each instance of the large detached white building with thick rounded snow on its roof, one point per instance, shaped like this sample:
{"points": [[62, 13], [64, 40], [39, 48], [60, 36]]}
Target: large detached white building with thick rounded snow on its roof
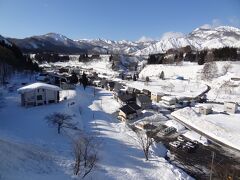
{"points": [[38, 94]]}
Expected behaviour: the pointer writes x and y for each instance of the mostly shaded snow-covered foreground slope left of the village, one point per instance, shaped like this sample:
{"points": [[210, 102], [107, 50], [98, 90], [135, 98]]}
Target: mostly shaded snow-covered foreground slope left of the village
{"points": [[31, 149]]}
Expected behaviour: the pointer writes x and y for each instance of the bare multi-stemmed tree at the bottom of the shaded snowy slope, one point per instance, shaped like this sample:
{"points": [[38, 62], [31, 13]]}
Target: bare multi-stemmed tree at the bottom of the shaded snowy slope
{"points": [[85, 155]]}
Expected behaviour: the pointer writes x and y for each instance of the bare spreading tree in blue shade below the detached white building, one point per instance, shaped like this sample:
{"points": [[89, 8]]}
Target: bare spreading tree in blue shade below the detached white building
{"points": [[61, 120]]}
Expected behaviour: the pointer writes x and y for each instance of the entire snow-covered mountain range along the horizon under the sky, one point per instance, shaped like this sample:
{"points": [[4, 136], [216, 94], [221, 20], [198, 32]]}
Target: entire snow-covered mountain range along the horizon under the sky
{"points": [[199, 39]]}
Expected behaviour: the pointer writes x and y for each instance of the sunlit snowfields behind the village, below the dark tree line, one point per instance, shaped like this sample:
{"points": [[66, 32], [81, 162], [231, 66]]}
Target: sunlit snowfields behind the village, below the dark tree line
{"points": [[190, 87]]}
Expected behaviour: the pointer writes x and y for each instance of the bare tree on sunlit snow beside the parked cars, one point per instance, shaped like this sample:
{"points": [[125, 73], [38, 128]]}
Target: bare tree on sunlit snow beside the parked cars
{"points": [[145, 142]]}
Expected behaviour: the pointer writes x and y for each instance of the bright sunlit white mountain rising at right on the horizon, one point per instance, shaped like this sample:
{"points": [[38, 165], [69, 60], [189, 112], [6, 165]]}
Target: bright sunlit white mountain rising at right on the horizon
{"points": [[200, 38]]}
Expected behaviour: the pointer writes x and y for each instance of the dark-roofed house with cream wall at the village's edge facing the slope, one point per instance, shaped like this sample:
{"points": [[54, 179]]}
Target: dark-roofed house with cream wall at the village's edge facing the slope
{"points": [[129, 112]]}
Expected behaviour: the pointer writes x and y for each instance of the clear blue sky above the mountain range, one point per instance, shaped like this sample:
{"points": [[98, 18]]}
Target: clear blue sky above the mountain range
{"points": [[113, 19]]}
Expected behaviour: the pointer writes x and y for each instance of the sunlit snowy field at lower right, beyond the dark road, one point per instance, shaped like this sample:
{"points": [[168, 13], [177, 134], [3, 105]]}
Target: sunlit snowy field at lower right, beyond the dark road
{"points": [[222, 127]]}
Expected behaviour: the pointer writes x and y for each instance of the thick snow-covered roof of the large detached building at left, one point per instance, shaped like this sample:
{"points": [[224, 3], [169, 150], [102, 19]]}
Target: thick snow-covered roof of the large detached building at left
{"points": [[38, 85]]}
